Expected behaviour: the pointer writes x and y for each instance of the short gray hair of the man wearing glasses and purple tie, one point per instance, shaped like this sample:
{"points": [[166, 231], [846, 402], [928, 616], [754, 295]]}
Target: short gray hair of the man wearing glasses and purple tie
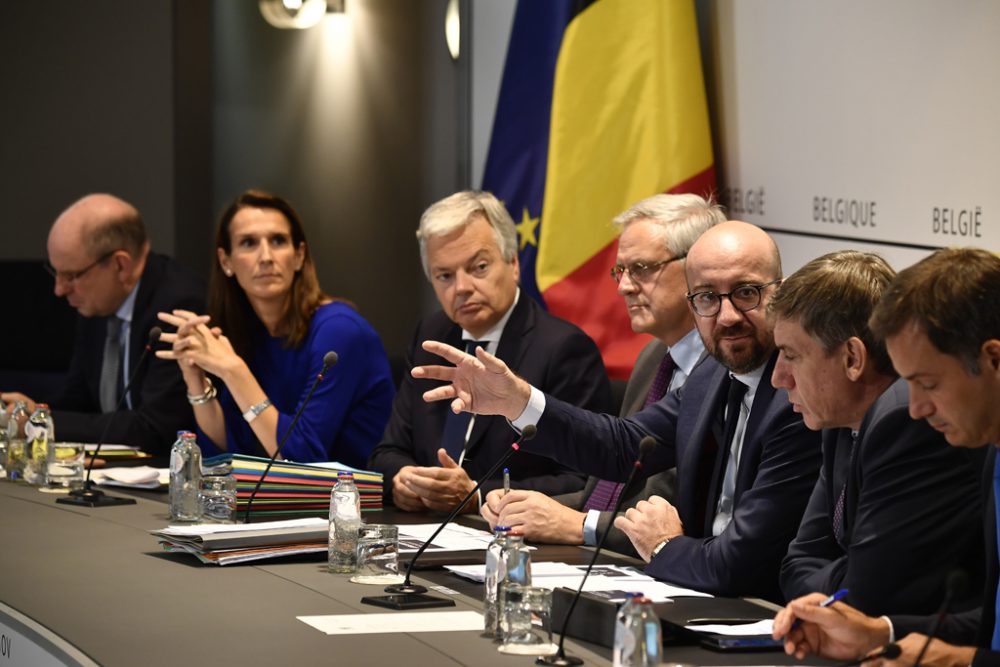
{"points": [[681, 219]]}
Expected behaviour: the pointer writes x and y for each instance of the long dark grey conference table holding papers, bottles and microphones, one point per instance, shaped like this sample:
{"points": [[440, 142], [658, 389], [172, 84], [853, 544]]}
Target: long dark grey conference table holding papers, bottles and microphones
{"points": [[91, 586]]}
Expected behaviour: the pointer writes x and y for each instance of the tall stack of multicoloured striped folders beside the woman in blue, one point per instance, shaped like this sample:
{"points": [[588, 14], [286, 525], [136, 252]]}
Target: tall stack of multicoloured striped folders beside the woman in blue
{"points": [[294, 490]]}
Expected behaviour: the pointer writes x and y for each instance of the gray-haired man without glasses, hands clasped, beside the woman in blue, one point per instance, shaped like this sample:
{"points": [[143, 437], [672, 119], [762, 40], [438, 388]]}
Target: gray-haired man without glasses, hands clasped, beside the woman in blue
{"points": [[430, 458]]}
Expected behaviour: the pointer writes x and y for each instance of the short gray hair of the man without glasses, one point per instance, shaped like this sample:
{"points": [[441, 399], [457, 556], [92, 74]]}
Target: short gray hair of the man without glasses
{"points": [[445, 216]]}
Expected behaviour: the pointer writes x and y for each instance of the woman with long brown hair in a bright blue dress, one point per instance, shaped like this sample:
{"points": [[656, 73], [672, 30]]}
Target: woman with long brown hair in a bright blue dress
{"points": [[268, 329]]}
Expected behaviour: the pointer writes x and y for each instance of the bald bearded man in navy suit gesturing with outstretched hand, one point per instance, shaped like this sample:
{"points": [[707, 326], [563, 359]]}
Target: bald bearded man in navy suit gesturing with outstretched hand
{"points": [[746, 463]]}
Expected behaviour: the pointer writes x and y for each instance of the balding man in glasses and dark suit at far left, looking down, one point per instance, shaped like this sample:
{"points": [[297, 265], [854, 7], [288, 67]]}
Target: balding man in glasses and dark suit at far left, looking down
{"points": [[100, 258]]}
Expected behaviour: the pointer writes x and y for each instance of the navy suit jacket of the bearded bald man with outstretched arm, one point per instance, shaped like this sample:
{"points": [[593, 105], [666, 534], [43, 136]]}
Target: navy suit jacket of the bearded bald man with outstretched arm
{"points": [[779, 464]]}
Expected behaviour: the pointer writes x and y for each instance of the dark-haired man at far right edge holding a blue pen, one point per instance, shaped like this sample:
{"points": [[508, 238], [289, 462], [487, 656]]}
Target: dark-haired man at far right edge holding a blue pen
{"points": [[940, 320]]}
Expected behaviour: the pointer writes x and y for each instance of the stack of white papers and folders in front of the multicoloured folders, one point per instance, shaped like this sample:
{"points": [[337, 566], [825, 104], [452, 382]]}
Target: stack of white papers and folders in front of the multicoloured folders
{"points": [[221, 544]]}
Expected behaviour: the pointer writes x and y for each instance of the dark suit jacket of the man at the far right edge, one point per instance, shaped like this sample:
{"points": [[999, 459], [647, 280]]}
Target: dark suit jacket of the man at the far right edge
{"points": [[975, 626]]}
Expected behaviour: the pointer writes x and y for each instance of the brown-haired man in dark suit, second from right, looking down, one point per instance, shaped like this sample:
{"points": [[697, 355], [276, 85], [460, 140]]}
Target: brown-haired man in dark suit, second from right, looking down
{"points": [[881, 469]]}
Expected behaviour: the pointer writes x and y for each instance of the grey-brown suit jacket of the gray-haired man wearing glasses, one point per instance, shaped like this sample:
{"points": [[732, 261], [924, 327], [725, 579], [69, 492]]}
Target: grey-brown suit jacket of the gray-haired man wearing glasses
{"points": [[663, 483]]}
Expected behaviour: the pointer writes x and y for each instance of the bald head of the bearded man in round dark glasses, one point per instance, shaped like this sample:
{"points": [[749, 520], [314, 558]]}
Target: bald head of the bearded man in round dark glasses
{"points": [[741, 261]]}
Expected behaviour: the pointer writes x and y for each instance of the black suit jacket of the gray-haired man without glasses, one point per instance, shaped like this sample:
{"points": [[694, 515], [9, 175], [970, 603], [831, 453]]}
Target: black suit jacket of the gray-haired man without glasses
{"points": [[546, 351]]}
